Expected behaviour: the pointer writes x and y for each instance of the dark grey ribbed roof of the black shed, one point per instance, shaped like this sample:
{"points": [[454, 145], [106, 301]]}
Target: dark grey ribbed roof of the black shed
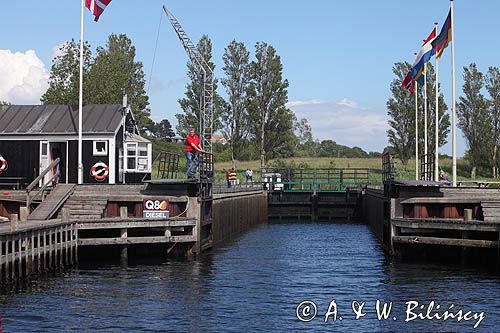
{"points": [[59, 119]]}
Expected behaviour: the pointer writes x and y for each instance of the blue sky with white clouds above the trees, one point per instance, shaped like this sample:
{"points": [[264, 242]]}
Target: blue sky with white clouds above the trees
{"points": [[337, 55]]}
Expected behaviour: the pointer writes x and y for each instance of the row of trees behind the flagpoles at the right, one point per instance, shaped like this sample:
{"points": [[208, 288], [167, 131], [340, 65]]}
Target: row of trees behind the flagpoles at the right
{"points": [[477, 116]]}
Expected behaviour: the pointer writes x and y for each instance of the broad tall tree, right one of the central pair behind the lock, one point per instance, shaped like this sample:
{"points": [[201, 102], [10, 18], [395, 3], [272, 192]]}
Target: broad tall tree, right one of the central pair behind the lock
{"points": [[271, 121]]}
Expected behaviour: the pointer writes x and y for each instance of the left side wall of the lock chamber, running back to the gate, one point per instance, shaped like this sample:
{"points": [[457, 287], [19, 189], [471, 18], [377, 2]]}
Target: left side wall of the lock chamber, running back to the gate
{"points": [[237, 213]]}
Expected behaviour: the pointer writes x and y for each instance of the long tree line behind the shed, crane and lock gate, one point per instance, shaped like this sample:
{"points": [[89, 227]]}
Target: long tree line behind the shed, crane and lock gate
{"points": [[253, 117]]}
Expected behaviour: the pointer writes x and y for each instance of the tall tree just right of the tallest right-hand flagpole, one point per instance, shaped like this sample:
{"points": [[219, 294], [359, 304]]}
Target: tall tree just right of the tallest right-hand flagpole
{"points": [[473, 117]]}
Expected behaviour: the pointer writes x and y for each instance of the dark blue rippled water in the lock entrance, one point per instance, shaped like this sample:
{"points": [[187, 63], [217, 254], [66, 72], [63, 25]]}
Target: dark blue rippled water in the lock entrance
{"points": [[254, 284]]}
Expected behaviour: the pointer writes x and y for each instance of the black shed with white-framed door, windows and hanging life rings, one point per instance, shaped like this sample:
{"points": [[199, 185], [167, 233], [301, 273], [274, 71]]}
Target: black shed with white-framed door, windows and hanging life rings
{"points": [[32, 136]]}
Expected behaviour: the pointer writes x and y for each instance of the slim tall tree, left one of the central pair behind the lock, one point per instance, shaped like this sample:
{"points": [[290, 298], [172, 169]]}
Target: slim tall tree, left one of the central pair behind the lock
{"points": [[236, 68]]}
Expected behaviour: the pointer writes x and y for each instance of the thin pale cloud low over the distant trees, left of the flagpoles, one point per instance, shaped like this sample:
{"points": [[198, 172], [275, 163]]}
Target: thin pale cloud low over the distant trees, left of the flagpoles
{"points": [[346, 123]]}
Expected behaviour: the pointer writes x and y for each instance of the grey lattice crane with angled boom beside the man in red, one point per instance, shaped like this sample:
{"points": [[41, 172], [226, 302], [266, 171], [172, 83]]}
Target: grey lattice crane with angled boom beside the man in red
{"points": [[205, 72]]}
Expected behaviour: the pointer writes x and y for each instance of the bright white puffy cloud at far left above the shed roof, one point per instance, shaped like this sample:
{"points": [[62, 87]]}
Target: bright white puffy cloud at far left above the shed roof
{"points": [[23, 77]]}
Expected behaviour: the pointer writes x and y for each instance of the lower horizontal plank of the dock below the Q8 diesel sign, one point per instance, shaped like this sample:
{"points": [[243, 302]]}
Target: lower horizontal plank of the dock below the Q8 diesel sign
{"points": [[136, 240]]}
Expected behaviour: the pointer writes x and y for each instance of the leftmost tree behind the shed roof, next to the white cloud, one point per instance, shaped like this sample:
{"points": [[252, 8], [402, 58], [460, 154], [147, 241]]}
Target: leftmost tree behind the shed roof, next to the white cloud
{"points": [[64, 78]]}
